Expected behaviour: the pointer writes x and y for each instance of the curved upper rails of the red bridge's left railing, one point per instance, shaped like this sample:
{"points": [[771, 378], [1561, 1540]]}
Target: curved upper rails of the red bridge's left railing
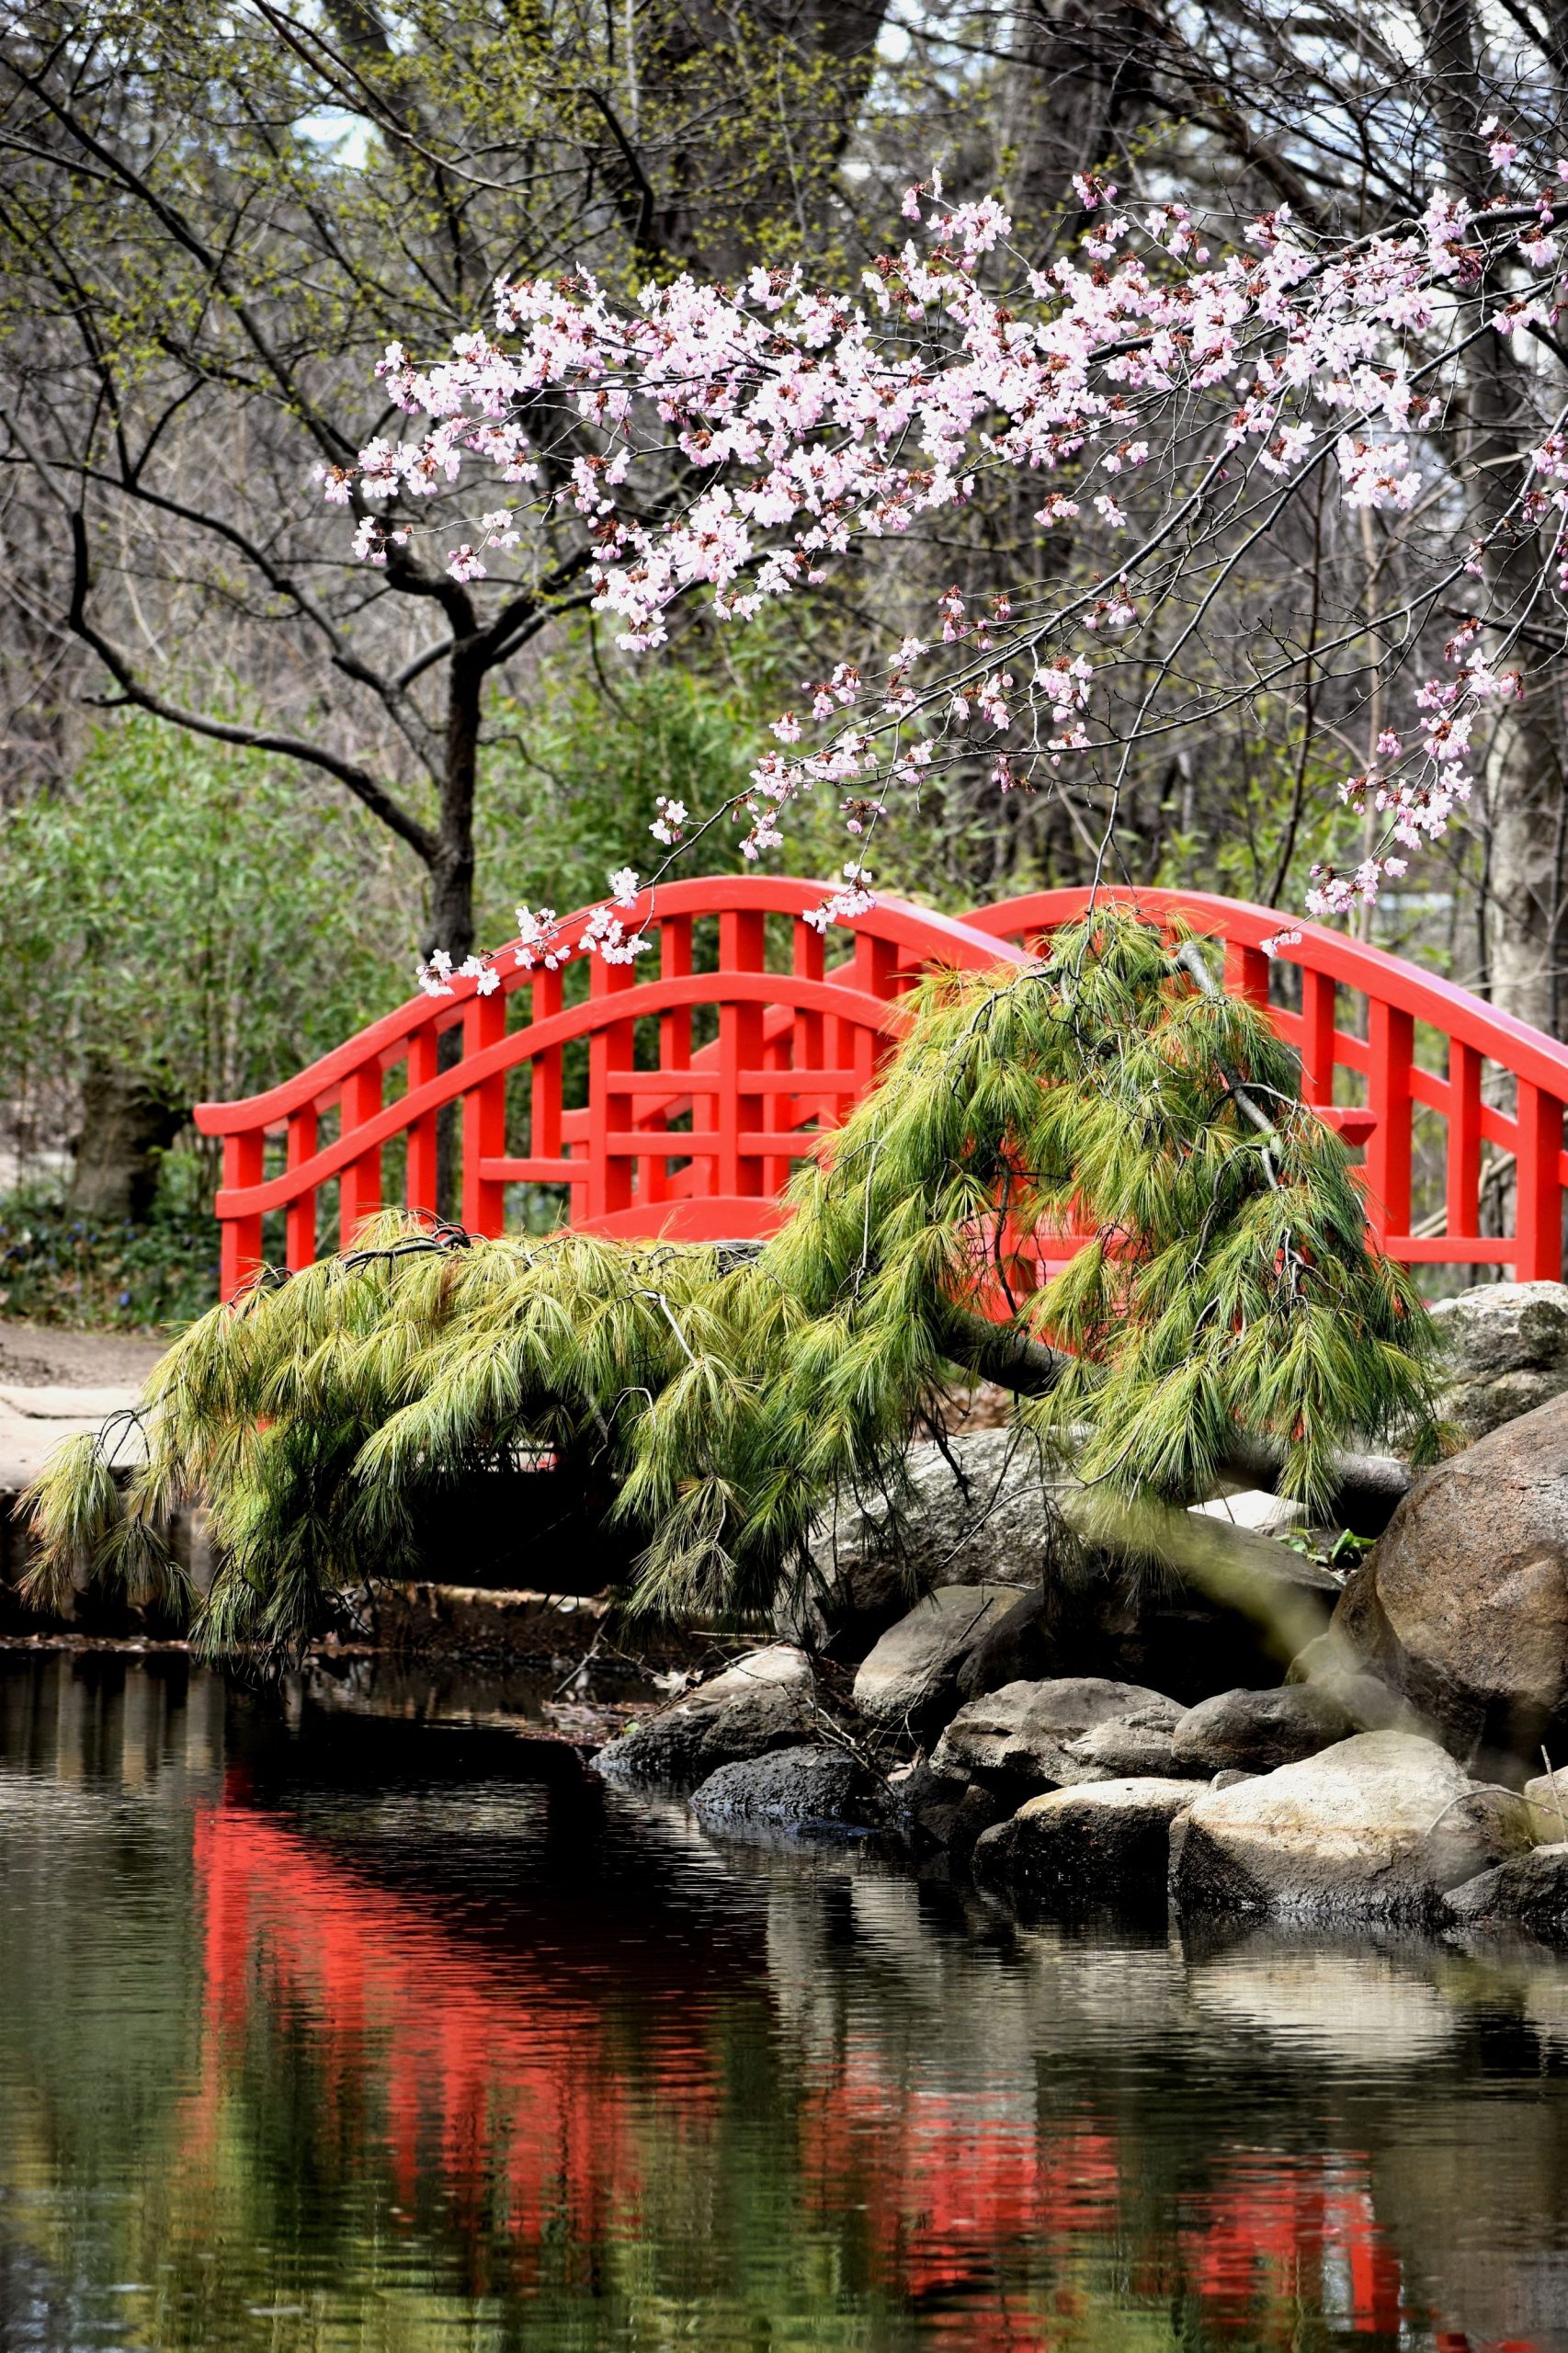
{"points": [[922, 938]]}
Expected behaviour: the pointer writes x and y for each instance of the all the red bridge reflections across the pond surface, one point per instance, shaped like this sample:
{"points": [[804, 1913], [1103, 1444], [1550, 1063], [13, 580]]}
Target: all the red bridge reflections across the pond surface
{"points": [[503, 2074]]}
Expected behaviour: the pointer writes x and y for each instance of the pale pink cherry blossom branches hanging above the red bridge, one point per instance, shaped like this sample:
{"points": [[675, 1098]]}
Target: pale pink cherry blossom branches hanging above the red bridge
{"points": [[748, 441]]}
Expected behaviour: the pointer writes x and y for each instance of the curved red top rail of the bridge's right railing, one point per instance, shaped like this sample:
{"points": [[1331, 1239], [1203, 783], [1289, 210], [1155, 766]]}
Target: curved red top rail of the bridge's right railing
{"points": [[1374, 973]]}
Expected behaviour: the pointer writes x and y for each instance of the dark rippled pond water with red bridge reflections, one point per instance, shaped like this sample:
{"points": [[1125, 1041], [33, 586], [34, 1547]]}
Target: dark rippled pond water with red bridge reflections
{"points": [[357, 2029]]}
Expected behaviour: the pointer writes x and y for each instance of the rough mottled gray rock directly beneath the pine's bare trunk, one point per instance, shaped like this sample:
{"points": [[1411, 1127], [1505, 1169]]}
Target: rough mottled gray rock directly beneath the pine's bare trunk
{"points": [[978, 1514]]}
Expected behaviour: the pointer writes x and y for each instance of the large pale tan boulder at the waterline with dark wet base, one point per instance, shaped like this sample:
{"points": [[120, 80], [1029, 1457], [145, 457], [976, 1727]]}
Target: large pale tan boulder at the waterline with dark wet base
{"points": [[1371, 1829]]}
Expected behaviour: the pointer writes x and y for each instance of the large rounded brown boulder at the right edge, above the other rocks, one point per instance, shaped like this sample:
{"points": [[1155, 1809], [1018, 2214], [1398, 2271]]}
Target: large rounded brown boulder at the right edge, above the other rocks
{"points": [[1466, 1601]]}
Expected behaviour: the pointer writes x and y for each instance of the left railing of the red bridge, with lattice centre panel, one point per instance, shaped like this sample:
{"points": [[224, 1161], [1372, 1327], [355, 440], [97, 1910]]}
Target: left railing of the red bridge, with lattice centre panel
{"points": [[715, 1065]]}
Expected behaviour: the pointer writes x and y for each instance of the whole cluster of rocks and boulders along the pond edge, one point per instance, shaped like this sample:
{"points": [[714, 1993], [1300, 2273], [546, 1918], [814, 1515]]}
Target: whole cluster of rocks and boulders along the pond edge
{"points": [[1006, 1700]]}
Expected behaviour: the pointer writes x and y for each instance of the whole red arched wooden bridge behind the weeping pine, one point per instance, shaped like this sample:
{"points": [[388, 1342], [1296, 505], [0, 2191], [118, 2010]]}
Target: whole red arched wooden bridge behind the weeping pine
{"points": [[675, 1095]]}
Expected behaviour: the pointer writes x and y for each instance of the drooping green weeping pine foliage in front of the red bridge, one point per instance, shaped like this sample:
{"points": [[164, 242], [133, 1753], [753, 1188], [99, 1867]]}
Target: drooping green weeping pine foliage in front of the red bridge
{"points": [[1112, 1088]]}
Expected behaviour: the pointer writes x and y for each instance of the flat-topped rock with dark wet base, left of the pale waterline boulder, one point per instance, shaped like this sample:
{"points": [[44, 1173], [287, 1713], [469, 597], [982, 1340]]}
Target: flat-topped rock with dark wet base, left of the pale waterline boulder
{"points": [[1103, 1841]]}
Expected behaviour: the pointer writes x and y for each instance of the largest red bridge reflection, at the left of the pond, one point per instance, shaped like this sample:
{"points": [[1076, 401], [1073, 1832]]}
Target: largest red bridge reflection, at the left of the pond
{"points": [[496, 2072]]}
